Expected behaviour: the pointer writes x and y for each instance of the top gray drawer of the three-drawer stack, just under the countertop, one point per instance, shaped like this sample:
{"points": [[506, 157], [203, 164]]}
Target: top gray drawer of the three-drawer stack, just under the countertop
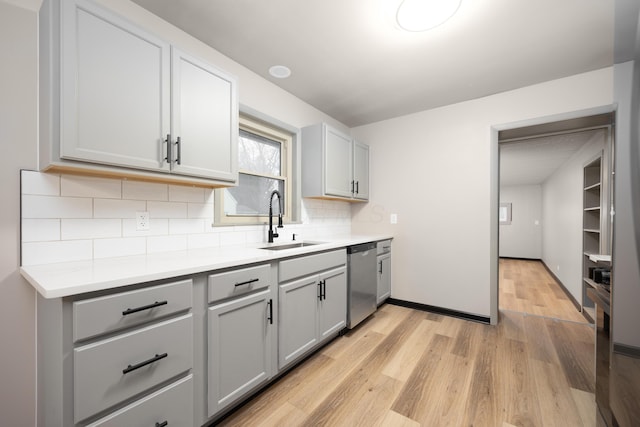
{"points": [[96, 316]]}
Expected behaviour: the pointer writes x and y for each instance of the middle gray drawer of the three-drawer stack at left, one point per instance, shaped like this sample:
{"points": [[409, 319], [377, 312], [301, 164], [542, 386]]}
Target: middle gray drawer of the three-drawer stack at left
{"points": [[110, 371]]}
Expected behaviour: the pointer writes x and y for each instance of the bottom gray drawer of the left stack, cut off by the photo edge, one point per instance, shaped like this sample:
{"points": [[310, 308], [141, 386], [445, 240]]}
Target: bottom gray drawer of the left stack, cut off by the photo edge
{"points": [[172, 404]]}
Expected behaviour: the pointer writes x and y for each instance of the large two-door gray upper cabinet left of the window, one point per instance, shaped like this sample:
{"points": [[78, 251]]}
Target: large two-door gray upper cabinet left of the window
{"points": [[118, 99]]}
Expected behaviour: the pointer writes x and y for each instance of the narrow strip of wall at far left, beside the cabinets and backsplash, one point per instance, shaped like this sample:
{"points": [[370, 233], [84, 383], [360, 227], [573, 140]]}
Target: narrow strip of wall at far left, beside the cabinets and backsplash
{"points": [[18, 125]]}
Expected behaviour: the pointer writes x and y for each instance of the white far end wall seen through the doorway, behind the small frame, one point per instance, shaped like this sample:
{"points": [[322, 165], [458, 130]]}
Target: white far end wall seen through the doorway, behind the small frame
{"points": [[523, 237]]}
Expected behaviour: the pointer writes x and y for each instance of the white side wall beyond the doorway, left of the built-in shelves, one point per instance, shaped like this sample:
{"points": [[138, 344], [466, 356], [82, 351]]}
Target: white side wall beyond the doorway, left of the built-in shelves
{"points": [[562, 209]]}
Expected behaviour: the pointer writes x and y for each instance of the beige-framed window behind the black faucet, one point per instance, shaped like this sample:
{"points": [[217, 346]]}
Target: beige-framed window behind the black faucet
{"points": [[264, 165]]}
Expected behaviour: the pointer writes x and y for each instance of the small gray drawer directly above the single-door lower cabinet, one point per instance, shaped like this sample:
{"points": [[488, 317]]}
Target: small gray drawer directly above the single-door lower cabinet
{"points": [[238, 282]]}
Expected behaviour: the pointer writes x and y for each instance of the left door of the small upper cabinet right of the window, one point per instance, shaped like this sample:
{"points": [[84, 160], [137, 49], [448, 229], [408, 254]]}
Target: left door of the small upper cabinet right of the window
{"points": [[337, 163]]}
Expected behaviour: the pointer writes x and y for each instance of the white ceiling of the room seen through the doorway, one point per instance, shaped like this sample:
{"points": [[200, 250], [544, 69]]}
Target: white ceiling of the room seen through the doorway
{"points": [[532, 161]]}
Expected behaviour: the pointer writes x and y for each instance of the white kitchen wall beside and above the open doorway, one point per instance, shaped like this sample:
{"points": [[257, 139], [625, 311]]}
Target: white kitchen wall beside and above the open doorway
{"points": [[435, 170]]}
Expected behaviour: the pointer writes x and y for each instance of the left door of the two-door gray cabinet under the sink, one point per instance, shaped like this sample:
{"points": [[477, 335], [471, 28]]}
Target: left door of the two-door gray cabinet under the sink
{"points": [[298, 320]]}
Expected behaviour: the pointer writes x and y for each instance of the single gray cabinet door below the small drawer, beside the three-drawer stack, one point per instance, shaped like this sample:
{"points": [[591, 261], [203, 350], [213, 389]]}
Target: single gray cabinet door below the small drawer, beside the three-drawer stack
{"points": [[240, 348]]}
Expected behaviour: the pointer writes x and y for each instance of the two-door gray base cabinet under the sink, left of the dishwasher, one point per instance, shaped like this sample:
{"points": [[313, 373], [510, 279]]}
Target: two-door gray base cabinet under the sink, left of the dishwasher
{"points": [[313, 307]]}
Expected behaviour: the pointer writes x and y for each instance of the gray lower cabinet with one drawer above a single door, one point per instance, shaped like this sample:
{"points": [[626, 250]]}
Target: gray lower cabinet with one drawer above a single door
{"points": [[241, 335]]}
